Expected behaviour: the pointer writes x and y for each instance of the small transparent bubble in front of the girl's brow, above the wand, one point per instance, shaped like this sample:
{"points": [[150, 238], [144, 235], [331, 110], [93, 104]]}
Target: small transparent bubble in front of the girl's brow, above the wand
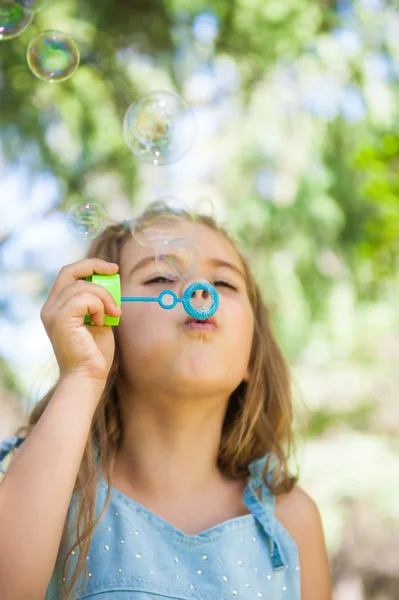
{"points": [[176, 259]]}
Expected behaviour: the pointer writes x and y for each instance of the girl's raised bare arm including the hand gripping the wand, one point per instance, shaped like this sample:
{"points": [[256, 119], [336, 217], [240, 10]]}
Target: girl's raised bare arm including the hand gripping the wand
{"points": [[36, 492]]}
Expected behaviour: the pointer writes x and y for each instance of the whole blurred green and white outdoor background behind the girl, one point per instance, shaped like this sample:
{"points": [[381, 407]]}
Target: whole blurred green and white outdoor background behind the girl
{"points": [[297, 151]]}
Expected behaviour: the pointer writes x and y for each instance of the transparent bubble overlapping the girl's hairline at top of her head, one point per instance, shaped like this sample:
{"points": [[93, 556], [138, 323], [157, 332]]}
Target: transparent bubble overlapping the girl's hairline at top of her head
{"points": [[170, 218]]}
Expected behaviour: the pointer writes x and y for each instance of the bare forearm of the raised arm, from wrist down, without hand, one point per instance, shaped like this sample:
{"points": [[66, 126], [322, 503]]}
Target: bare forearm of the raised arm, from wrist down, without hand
{"points": [[36, 491]]}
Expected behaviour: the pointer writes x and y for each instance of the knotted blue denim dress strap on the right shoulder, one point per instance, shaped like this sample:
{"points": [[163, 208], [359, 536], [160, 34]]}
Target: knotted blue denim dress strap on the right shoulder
{"points": [[263, 509]]}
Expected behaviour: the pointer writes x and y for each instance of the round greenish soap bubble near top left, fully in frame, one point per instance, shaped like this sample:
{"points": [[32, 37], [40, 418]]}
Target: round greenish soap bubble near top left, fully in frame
{"points": [[53, 56]]}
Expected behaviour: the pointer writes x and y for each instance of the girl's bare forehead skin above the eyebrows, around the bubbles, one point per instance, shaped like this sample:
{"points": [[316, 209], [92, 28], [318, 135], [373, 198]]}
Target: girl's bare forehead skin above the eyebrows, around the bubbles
{"points": [[209, 243]]}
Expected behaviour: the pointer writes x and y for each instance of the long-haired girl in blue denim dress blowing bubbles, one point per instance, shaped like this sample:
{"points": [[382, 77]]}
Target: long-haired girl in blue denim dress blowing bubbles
{"points": [[156, 467]]}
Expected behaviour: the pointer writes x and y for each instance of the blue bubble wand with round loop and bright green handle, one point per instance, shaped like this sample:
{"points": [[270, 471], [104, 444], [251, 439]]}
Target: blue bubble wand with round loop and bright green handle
{"points": [[112, 284]]}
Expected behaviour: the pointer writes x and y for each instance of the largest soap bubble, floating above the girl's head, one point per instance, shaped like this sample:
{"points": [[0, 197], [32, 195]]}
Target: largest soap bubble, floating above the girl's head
{"points": [[160, 128]]}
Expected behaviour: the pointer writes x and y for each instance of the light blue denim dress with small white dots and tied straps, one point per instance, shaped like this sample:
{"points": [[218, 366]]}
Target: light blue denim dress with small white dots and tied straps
{"points": [[137, 555]]}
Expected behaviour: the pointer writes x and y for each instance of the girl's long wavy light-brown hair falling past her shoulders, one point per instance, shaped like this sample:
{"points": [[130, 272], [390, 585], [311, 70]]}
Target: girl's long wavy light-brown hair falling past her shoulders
{"points": [[258, 419]]}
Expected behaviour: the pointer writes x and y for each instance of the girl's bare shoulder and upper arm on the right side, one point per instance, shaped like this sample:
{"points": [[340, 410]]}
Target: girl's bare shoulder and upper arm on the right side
{"points": [[300, 516]]}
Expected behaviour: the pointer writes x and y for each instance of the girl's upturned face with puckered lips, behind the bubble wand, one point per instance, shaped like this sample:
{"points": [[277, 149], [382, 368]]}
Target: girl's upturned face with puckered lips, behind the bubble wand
{"points": [[157, 350]]}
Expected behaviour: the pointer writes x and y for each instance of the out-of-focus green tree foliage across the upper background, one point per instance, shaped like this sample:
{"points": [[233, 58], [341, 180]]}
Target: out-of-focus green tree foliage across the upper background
{"points": [[334, 209]]}
